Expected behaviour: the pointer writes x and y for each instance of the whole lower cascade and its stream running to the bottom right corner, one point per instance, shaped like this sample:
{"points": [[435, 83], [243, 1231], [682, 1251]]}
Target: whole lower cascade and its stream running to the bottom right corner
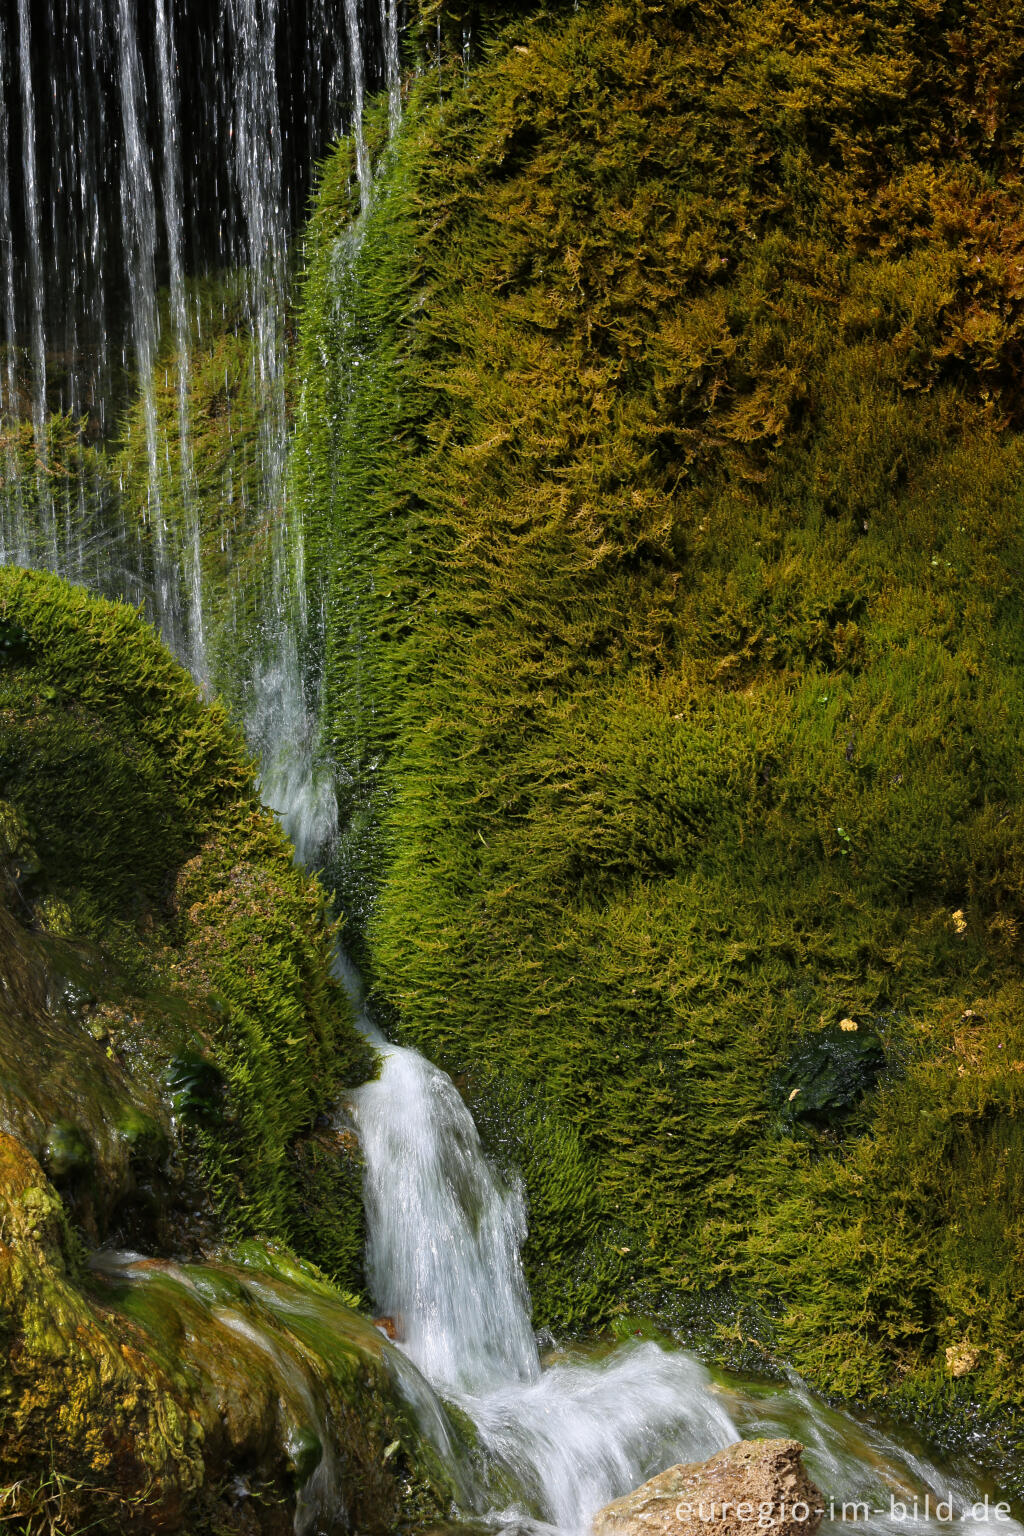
{"points": [[560, 1440]]}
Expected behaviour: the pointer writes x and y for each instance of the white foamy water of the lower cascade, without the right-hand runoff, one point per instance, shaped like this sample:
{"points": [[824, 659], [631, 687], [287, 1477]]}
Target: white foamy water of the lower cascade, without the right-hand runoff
{"points": [[444, 1262]]}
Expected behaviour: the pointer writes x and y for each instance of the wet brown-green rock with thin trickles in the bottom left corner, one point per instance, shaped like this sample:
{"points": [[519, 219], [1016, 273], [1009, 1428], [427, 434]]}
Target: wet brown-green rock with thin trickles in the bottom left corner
{"points": [[214, 1399]]}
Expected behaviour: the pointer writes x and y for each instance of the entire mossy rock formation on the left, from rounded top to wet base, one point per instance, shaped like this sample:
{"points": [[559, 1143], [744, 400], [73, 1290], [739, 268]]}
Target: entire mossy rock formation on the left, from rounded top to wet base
{"points": [[171, 1038]]}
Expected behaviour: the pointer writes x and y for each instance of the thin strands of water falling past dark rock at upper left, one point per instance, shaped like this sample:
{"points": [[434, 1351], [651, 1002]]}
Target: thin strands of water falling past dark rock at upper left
{"points": [[156, 154]]}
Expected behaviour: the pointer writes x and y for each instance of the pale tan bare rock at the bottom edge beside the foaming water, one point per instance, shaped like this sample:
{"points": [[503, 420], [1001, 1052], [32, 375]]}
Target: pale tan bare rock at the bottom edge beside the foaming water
{"points": [[750, 1486]]}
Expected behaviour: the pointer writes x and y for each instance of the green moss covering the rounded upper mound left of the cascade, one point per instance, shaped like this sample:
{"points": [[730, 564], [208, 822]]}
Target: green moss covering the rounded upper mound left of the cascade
{"points": [[214, 972]]}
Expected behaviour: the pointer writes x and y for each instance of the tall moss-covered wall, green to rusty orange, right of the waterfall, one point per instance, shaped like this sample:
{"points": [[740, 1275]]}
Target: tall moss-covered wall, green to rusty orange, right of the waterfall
{"points": [[664, 494]]}
